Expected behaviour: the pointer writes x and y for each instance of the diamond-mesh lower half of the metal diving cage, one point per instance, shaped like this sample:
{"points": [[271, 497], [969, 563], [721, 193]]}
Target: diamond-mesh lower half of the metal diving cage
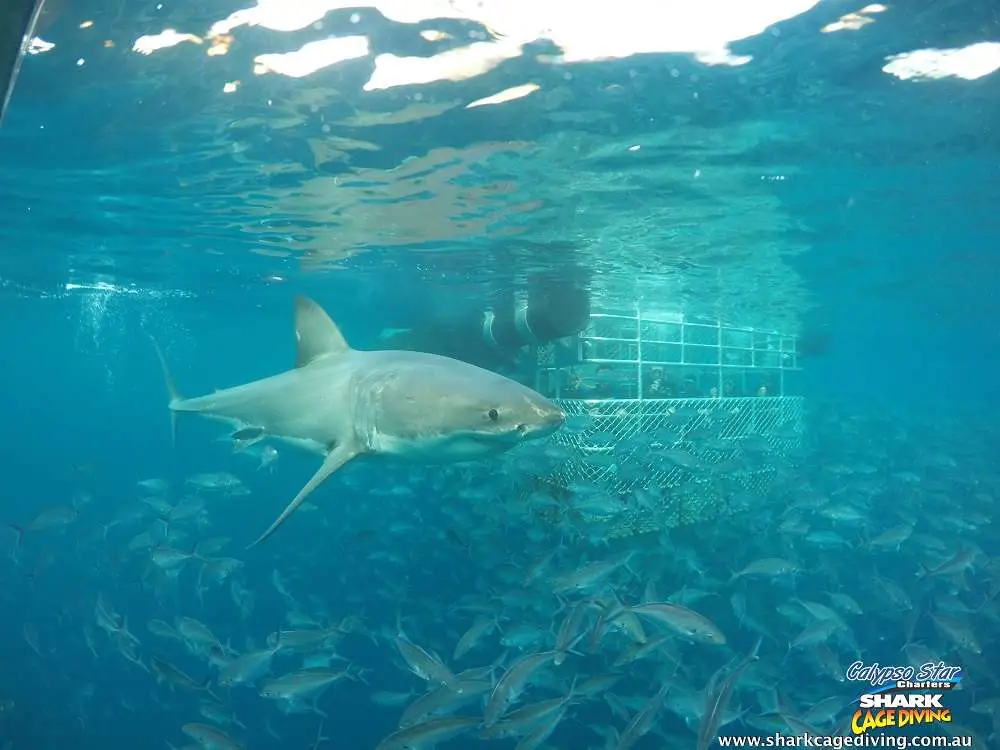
{"points": [[691, 453]]}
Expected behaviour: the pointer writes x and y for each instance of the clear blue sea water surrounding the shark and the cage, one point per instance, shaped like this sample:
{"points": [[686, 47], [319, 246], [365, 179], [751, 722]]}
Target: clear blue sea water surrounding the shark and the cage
{"points": [[806, 191]]}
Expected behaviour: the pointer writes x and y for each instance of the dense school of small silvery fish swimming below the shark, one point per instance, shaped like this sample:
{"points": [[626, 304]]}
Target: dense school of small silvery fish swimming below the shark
{"points": [[456, 609]]}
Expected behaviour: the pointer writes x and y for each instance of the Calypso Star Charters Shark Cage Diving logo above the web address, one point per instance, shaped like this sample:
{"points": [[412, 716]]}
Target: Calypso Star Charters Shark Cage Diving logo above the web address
{"points": [[902, 696]]}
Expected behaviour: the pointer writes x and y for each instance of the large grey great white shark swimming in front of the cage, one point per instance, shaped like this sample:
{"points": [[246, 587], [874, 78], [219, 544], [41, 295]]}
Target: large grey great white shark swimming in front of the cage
{"points": [[342, 403]]}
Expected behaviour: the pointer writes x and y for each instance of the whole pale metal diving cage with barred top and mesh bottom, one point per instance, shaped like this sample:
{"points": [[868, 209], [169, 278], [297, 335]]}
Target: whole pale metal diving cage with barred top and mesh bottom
{"points": [[695, 417]]}
